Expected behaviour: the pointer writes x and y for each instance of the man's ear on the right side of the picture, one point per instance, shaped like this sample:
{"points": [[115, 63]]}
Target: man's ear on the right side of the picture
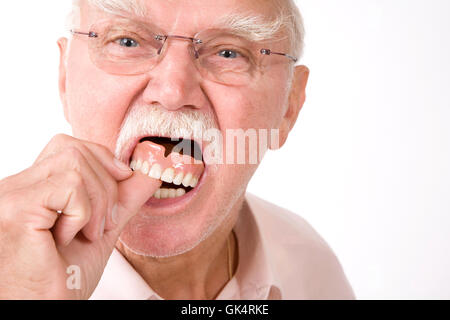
{"points": [[297, 96]]}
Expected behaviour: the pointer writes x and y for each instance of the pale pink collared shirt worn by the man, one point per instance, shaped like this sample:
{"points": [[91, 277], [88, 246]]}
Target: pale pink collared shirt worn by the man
{"points": [[280, 257]]}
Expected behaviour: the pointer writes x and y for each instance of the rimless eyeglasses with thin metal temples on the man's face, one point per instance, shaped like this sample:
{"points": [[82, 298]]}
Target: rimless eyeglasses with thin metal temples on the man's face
{"points": [[126, 47]]}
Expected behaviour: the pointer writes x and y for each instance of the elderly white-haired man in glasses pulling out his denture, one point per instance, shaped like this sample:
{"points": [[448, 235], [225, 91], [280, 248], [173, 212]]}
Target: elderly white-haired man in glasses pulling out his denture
{"points": [[147, 200]]}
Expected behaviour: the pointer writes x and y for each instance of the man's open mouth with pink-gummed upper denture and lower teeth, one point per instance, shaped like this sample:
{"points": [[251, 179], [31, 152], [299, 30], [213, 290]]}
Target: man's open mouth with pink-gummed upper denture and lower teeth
{"points": [[177, 163]]}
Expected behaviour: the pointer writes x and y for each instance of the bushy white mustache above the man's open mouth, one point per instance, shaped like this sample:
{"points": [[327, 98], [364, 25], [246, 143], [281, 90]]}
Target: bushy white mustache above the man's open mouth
{"points": [[144, 120]]}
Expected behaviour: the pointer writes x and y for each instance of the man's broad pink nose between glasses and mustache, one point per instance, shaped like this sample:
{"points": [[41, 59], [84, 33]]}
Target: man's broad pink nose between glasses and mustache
{"points": [[175, 82]]}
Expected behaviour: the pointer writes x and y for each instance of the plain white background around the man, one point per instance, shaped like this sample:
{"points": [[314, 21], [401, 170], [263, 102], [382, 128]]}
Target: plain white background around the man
{"points": [[368, 164]]}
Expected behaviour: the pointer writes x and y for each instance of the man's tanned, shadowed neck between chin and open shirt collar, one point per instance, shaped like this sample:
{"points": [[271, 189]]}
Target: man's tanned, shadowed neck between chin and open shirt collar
{"points": [[200, 273]]}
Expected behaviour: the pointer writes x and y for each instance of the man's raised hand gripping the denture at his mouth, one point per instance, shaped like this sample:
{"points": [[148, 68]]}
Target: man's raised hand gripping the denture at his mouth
{"points": [[97, 197]]}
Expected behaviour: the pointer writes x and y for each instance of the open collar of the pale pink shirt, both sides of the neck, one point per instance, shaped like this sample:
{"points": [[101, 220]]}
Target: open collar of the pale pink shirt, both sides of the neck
{"points": [[254, 278]]}
